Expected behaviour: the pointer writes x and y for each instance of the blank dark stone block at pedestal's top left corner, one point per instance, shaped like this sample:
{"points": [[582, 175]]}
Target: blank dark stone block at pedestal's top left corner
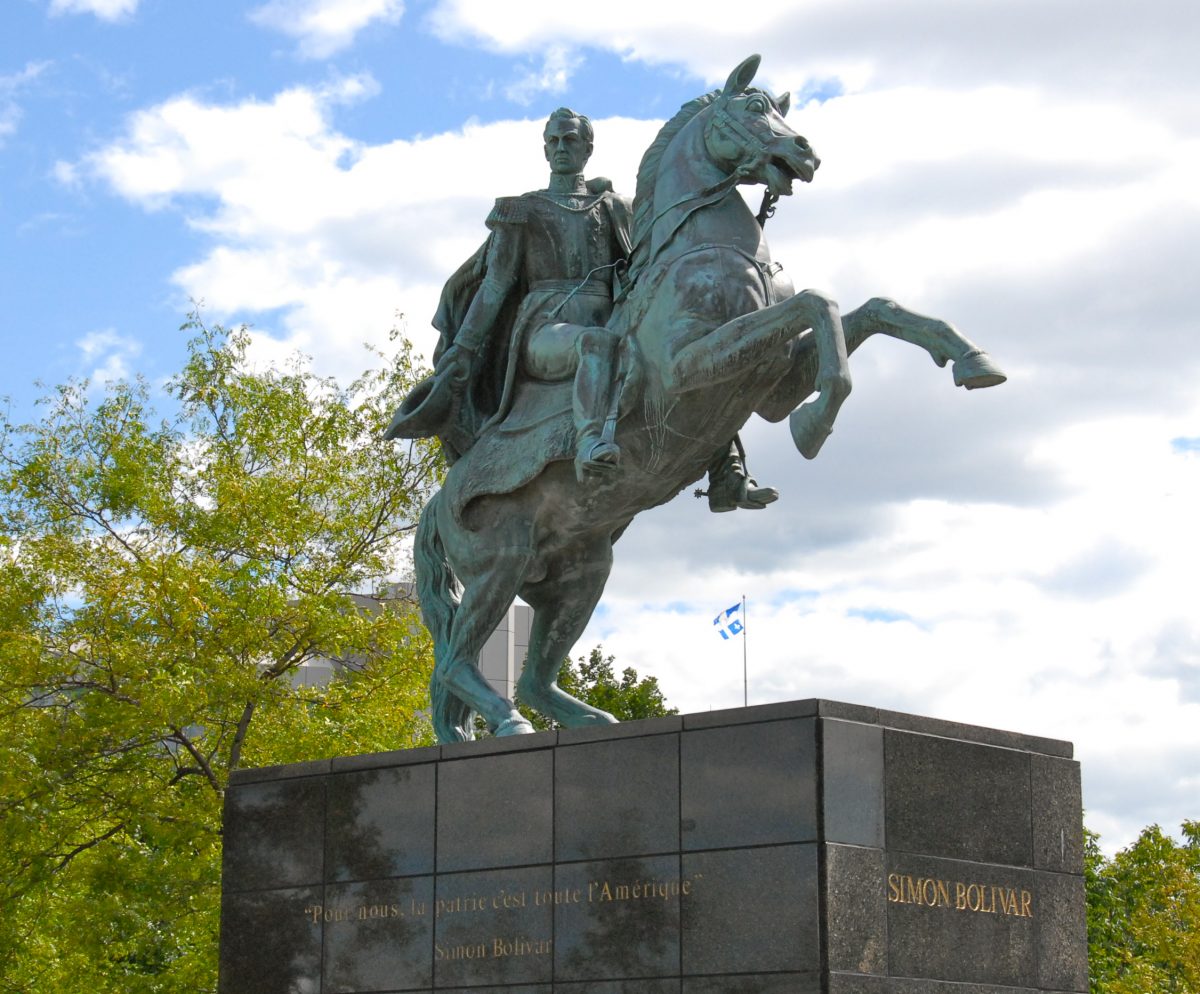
{"points": [[273, 835]]}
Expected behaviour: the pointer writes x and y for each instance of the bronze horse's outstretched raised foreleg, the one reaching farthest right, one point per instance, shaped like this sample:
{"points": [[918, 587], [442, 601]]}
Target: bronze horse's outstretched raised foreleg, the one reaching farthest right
{"points": [[974, 368]]}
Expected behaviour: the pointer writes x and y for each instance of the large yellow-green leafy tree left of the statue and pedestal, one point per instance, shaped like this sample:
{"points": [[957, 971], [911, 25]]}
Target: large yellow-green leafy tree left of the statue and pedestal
{"points": [[161, 583]]}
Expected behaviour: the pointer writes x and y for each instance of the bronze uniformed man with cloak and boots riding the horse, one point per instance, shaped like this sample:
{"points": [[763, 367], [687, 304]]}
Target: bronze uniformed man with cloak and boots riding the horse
{"points": [[535, 302]]}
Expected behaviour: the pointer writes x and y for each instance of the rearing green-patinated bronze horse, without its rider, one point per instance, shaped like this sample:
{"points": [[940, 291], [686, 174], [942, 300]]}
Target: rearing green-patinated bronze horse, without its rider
{"points": [[713, 333]]}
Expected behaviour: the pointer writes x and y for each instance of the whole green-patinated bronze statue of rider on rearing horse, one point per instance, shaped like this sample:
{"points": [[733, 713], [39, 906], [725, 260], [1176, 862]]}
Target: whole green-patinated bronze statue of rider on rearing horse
{"points": [[620, 387]]}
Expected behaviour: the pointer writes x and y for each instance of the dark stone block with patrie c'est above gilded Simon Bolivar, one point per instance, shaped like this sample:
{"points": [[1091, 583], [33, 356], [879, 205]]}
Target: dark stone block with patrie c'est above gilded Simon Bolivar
{"points": [[494, 927]]}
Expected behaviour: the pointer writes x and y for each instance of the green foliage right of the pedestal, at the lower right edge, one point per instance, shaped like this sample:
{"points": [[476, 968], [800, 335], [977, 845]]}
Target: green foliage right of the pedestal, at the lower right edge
{"points": [[1144, 915]]}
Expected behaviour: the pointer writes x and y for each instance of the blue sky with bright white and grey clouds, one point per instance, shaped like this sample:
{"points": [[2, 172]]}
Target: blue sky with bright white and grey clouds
{"points": [[1024, 558]]}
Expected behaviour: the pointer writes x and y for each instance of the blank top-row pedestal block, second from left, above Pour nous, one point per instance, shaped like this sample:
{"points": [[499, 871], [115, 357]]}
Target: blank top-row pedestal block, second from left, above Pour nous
{"points": [[381, 823]]}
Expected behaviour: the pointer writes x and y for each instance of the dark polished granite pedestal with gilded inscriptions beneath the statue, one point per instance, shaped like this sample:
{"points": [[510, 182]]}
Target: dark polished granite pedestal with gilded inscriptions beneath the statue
{"points": [[806, 848]]}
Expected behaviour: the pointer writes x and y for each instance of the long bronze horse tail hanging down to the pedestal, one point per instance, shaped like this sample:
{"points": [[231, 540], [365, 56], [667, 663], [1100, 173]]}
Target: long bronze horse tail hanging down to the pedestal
{"points": [[437, 590]]}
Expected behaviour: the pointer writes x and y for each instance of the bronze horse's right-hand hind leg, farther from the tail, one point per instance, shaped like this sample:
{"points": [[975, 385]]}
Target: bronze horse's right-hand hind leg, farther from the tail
{"points": [[562, 608]]}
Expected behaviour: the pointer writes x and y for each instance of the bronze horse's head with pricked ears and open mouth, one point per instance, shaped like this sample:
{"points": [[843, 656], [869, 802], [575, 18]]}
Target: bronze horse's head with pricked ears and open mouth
{"points": [[747, 135]]}
